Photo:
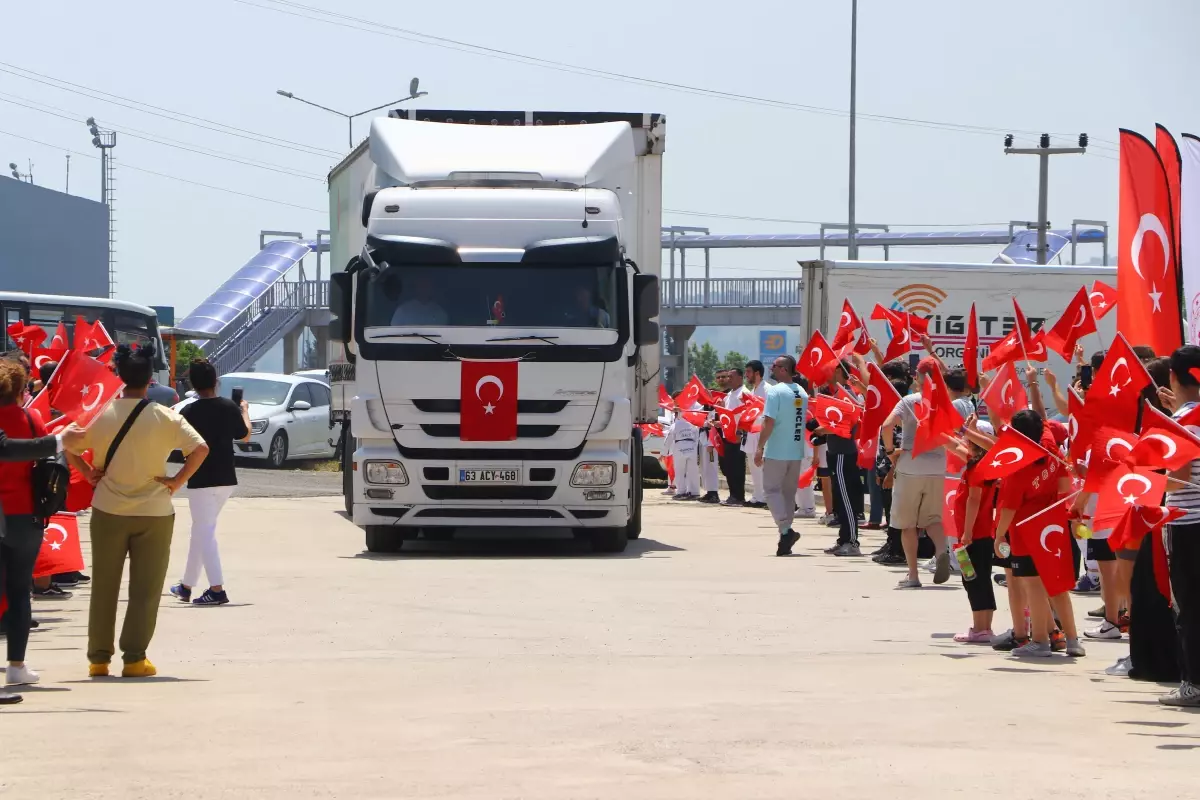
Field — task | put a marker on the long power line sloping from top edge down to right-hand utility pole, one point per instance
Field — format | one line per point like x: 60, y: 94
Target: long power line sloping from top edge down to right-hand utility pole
x: 383, y: 29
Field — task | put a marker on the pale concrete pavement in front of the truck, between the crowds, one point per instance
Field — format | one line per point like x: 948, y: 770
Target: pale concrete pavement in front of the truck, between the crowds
x: 697, y: 665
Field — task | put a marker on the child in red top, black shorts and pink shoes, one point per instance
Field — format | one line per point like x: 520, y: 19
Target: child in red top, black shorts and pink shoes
x: 975, y: 504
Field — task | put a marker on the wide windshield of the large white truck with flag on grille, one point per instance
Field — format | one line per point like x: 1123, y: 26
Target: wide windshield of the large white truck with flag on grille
x: 503, y: 294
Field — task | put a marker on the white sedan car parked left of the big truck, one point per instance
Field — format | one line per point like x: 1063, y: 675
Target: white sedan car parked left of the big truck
x: 289, y: 417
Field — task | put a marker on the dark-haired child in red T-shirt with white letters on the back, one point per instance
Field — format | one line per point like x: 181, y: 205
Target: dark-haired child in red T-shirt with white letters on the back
x: 1024, y: 495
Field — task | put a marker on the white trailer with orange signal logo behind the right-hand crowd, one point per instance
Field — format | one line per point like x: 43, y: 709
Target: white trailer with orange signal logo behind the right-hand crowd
x: 945, y: 292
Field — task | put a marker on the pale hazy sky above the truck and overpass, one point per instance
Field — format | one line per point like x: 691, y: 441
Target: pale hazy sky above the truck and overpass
x: 1018, y: 65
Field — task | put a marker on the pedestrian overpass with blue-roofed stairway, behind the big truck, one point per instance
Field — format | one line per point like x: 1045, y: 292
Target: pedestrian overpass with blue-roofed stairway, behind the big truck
x: 273, y: 298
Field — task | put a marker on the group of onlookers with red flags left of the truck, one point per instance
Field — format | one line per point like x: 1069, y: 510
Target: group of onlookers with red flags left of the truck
x: 122, y: 455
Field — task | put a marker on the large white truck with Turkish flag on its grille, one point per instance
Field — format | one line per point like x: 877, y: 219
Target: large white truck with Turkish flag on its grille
x: 479, y: 250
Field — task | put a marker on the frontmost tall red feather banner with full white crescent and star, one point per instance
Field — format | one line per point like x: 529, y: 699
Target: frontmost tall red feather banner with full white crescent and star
x: 1148, y: 282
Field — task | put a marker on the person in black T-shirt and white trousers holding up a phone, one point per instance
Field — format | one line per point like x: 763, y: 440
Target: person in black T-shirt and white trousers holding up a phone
x: 221, y: 423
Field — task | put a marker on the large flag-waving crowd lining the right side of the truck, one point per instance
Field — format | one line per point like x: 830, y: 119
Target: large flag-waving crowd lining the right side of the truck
x: 940, y: 504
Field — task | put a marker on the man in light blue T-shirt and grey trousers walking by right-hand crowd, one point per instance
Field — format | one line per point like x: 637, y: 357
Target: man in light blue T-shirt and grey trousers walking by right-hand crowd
x: 782, y: 449
